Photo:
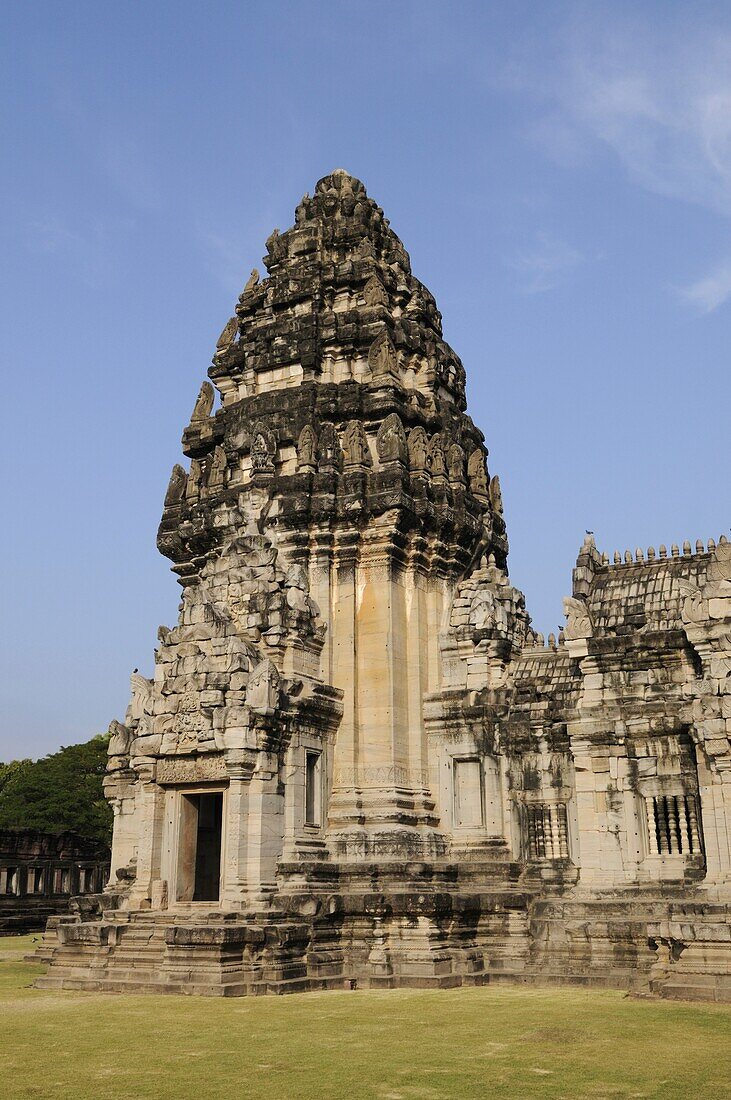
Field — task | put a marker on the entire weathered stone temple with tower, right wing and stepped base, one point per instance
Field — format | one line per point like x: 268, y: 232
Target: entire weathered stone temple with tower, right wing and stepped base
x: 357, y: 763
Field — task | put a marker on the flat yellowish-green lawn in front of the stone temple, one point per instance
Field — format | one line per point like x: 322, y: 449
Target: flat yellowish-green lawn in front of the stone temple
x: 491, y: 1042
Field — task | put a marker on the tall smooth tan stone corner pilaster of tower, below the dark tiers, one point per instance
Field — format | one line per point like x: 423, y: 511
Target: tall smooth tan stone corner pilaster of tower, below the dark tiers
x: 381, y: 805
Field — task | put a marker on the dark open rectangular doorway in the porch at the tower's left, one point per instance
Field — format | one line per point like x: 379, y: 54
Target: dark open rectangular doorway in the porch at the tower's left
x: 200, y: 846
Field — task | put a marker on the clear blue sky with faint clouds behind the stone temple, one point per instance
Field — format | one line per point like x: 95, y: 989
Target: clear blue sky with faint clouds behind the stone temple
x: 561, y: 175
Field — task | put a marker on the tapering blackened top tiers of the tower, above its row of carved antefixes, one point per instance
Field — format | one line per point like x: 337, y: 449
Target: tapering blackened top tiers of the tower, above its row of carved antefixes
x: 340, y: 303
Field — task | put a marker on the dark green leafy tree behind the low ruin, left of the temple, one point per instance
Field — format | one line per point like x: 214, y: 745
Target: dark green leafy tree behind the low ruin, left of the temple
x: 62, y: 791
